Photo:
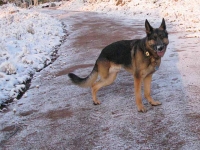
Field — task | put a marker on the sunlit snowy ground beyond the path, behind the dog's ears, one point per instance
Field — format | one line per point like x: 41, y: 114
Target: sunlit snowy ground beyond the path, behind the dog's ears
x: 185, y: 15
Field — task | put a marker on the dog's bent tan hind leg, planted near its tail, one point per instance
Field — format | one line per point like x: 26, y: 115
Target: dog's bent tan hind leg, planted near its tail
x: 103, y: 82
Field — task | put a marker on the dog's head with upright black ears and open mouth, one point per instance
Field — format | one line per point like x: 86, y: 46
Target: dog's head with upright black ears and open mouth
x: 157, y: 39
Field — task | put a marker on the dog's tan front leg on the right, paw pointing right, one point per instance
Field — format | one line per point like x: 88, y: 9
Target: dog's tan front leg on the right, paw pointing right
x: 147, y: 91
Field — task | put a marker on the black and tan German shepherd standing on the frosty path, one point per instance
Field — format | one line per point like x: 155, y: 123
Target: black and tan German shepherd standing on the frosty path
x: 141, y: 57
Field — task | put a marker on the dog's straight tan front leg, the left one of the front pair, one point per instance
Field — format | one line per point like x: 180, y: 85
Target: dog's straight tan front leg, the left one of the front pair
x: 138, y: 97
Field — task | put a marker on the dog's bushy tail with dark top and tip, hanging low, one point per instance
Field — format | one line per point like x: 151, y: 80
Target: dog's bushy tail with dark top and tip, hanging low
x: 85, y: 82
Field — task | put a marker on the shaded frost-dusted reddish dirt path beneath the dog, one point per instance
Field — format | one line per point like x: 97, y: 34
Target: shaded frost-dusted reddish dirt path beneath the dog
x: 59, y: 115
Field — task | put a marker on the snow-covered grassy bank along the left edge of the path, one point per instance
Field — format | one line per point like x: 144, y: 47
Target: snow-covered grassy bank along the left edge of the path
x: 27, y: 42
